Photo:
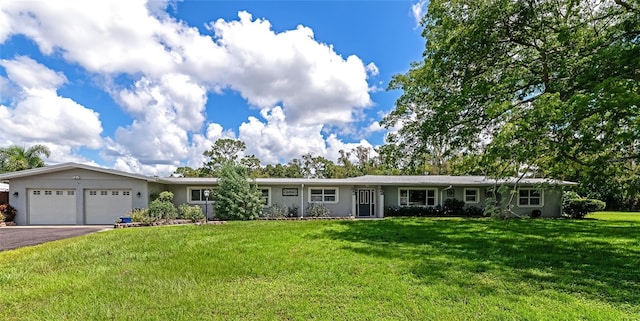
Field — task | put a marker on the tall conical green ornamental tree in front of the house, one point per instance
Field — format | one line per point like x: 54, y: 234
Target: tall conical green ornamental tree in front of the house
x: 236, y: 197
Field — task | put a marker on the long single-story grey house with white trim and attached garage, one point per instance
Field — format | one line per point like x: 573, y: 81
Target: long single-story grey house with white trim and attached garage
x: 79, y: 194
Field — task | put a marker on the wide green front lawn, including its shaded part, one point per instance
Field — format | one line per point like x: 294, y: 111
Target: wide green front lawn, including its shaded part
x: 393, y: 269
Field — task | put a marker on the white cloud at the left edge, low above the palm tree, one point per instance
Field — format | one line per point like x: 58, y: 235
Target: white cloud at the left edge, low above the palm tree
x: 37, y: 114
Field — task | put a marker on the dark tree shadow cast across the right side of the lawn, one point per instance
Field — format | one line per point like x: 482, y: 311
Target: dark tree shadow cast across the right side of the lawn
x: 597, y: 259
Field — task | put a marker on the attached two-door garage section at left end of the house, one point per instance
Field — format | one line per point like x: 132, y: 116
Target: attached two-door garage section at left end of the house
x: 76, y: 194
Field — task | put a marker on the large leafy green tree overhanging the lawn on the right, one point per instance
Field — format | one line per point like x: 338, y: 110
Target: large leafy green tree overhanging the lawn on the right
x: 527, y: 83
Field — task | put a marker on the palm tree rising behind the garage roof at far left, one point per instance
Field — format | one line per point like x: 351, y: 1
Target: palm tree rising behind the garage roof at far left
x: 16, y: 158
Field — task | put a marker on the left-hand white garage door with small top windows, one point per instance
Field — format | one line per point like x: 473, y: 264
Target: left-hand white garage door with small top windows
x: 50, y: 206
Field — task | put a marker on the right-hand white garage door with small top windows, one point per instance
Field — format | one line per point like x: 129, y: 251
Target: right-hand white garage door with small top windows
x: 105, y: 206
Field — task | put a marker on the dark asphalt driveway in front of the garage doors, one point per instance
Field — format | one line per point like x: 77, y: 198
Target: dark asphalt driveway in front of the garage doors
x: 13, y: 237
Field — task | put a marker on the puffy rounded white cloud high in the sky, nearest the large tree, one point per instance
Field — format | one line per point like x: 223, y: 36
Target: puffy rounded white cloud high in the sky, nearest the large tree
x: 293, y: 69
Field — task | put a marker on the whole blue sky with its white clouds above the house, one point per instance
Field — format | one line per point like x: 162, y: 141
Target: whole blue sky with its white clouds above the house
x: 148, y: 86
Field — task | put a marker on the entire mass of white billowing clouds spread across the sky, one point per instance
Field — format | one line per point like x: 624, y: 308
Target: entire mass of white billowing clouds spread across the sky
x: 174, y: 66
